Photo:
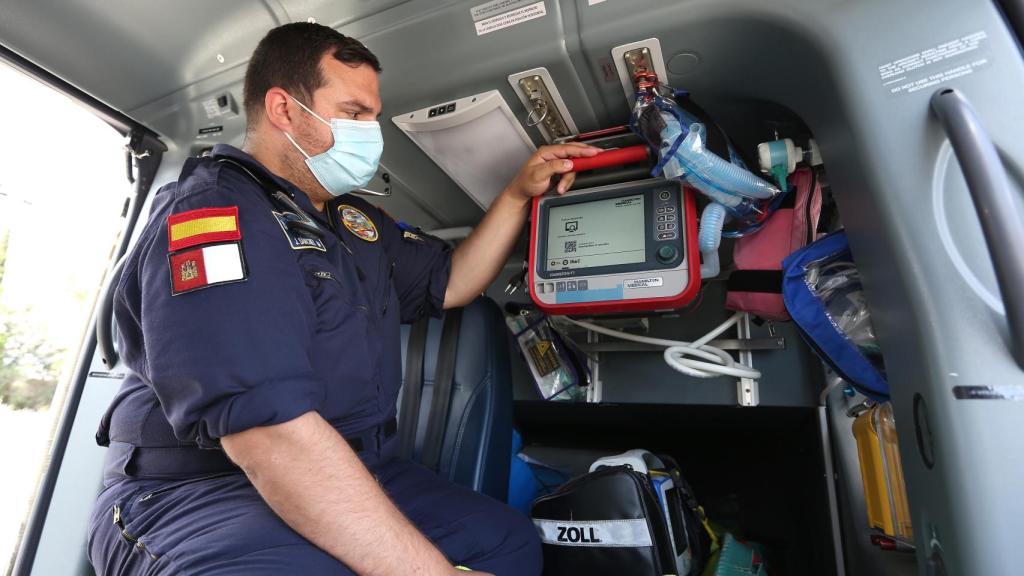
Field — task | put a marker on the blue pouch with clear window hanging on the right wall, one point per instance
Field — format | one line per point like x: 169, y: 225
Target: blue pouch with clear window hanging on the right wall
x: 823, y: 294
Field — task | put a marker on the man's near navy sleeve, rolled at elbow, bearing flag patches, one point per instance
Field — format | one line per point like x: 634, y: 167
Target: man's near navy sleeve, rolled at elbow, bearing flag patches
x: 232, y: 354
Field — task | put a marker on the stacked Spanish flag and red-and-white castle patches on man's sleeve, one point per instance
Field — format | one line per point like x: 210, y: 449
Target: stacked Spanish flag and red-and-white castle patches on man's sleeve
x: 205, y: 250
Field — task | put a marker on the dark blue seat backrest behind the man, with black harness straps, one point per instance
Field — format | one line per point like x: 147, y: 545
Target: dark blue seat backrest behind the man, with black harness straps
x: 477, y: 440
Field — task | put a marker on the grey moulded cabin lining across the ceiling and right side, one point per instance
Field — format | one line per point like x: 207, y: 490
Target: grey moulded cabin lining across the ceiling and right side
x: 883, y: 153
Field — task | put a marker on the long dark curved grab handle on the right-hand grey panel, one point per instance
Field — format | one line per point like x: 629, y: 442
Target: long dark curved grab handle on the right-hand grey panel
x: 999, y: 209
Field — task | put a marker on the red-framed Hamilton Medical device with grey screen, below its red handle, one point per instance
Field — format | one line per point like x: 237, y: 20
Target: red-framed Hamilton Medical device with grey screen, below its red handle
x: 624, y: 248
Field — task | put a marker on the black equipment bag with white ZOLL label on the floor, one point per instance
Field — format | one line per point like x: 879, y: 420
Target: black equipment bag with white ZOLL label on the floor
x: 623, y: 518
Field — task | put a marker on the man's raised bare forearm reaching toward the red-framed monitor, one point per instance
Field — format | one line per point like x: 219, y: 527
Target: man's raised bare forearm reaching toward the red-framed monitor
x: 478, y: 261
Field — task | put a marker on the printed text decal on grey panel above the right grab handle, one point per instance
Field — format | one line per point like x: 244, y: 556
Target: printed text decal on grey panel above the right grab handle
x: 949, y: 61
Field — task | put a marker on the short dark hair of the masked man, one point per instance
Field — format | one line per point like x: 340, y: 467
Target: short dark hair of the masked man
x: 289, y: 58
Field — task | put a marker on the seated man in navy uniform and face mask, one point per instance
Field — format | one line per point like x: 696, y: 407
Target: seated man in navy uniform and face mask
x: 260, y: 313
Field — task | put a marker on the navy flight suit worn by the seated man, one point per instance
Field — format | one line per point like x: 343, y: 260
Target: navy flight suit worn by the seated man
x: 306, y: 323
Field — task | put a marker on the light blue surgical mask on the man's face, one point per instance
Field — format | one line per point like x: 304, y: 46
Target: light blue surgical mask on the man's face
x: 352, y: 161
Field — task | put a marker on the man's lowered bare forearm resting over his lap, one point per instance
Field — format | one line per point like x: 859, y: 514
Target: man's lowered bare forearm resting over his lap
x: 318, y: 485
